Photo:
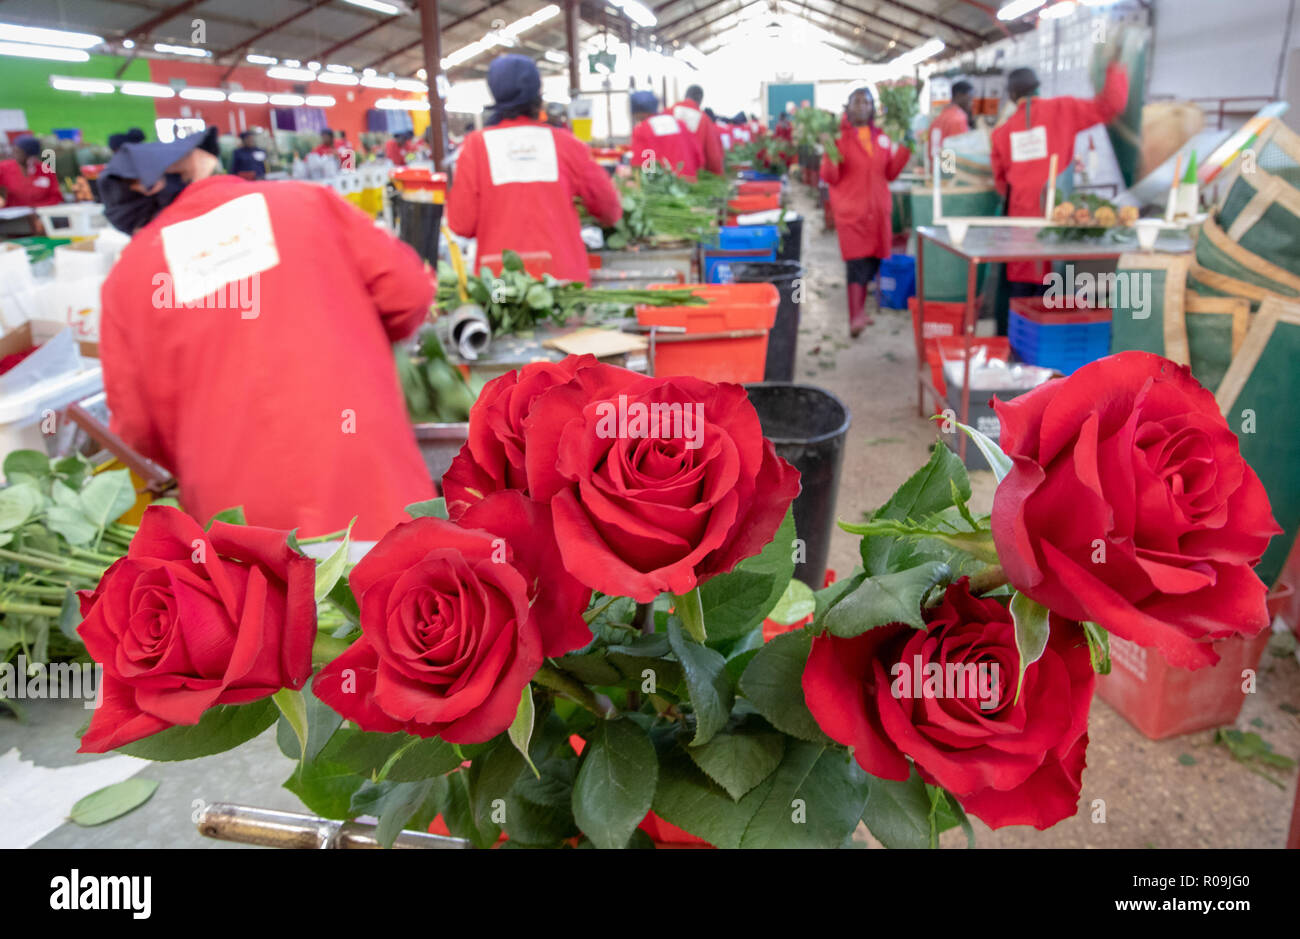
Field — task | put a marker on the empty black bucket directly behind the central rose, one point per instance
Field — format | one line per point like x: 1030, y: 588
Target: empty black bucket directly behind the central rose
x: 808, y: 427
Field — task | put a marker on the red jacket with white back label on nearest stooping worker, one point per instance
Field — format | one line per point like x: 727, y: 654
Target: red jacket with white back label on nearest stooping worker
x: 279, y: 390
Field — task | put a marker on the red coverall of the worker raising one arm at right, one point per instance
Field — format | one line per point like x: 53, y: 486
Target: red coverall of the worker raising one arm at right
x: 1024, y: 170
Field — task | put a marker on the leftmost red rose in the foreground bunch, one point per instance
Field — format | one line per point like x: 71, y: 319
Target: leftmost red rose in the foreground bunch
x: 190, y: 620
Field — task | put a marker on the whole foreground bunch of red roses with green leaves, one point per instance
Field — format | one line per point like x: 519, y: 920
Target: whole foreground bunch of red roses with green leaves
x: 567, y: 650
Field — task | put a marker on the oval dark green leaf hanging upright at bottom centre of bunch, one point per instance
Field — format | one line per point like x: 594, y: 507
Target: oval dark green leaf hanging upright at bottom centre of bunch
x: 616, y: 785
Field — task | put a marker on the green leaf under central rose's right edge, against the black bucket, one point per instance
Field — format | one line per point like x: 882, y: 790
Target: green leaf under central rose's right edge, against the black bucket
x: 736, y: 603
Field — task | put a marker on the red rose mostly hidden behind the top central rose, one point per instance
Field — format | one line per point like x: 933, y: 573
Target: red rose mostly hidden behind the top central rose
x: 493, y: 457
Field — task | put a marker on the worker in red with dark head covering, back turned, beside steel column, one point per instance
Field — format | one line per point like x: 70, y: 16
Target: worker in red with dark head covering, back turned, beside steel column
x: 517, y: 179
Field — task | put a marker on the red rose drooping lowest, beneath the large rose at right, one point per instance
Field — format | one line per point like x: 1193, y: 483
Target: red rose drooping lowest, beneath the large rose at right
x: 1016, y: 763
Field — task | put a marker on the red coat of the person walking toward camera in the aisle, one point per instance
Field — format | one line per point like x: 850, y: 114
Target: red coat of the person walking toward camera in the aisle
x: 860, y: 192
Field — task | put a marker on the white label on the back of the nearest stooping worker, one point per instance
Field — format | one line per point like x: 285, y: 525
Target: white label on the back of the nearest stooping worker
x: 233, y: 243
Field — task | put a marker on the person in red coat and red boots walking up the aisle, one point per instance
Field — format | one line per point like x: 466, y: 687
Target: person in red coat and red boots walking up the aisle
x: 860, y: 198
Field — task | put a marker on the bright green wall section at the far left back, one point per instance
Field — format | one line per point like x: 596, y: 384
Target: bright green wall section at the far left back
x: 25, y: 84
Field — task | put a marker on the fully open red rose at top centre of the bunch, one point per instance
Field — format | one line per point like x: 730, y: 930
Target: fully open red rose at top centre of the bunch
x: 655, y: 484
